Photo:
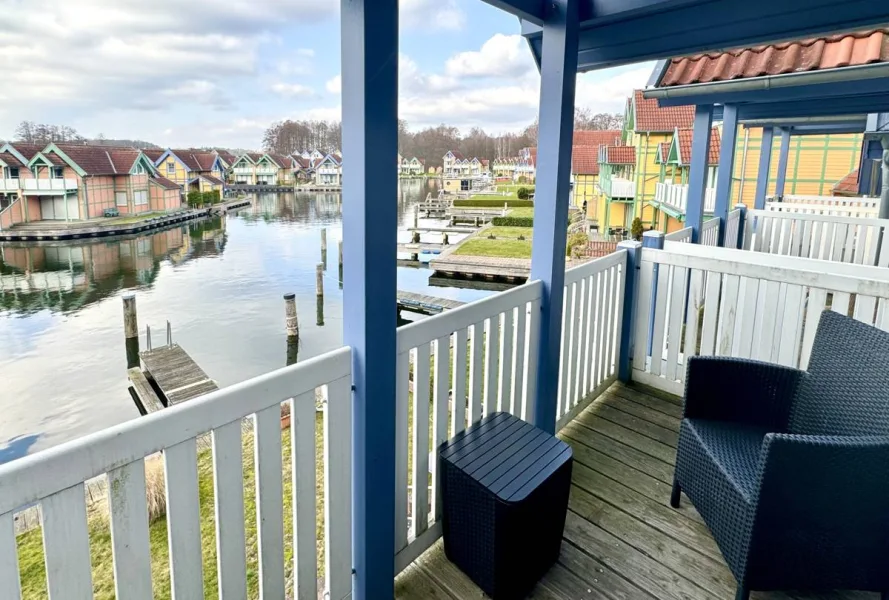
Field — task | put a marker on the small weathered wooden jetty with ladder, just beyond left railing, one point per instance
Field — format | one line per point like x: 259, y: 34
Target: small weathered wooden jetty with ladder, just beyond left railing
x: 176, y: 374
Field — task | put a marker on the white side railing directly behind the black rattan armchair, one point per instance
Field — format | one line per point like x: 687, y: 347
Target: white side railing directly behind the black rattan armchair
x: 723, y: 302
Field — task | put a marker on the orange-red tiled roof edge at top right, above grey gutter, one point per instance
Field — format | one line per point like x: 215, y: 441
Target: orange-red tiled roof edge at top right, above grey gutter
x: 814, y: 54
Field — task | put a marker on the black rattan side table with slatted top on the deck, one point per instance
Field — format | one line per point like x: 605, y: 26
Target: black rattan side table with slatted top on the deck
x: 505, y: 487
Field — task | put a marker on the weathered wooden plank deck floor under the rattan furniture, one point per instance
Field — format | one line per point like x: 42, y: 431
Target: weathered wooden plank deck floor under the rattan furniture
x: 622, y: 540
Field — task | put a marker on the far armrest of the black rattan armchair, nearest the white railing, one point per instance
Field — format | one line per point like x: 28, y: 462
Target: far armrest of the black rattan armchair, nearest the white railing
x: 740, y: 390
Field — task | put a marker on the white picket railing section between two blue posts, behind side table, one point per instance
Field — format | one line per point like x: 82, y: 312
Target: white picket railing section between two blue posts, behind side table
x: 466, y: 363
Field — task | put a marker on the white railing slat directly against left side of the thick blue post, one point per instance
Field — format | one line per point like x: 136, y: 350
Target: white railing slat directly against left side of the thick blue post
x: 338, y: 488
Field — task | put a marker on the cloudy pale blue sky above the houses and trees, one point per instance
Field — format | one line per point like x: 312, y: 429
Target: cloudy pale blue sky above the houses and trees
x: 202, y: 73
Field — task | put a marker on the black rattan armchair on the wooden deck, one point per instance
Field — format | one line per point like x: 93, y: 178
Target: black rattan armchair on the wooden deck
x: 790, y: 469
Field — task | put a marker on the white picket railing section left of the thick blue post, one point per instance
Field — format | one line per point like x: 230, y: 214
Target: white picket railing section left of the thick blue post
x: 54, y: 479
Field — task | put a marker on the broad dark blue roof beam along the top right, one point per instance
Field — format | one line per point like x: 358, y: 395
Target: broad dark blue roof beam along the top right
x: 653, y: 29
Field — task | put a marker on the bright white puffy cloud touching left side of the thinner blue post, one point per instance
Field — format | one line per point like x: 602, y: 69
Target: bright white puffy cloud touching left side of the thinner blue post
x: 501, y: 56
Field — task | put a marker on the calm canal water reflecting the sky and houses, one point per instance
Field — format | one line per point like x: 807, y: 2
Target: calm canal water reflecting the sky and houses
x: 219, y: 282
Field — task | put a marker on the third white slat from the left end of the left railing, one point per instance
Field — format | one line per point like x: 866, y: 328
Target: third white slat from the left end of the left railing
x: 129, y: 531
